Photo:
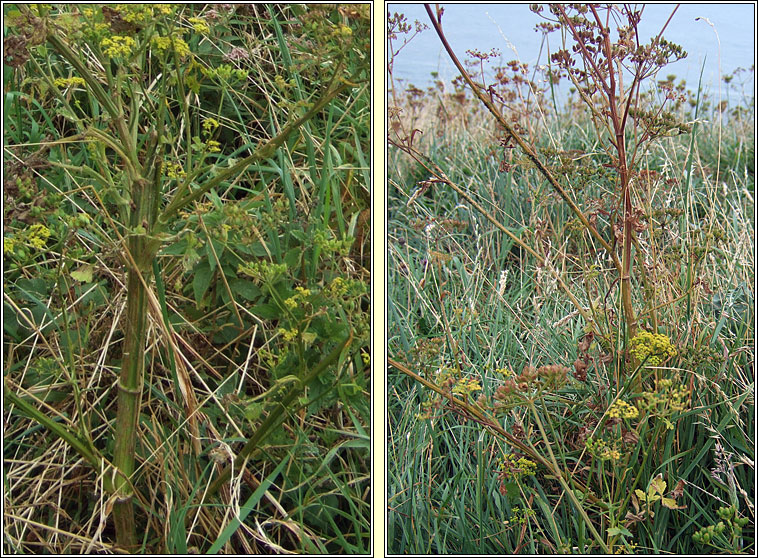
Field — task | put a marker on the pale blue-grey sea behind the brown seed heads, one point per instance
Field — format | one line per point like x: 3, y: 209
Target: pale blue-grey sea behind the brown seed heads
x: 717, y: 37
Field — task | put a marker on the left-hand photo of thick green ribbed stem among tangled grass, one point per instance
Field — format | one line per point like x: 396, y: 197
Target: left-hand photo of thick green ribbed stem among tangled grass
x: 185, y: 254
